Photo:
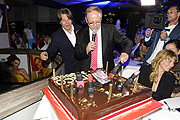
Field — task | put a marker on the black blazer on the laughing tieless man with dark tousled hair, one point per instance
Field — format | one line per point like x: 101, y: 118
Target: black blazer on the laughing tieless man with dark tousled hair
x: 61, y: 43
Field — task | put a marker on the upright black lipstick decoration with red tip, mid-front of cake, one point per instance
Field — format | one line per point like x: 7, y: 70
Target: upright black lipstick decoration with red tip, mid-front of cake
x: 90, y: 87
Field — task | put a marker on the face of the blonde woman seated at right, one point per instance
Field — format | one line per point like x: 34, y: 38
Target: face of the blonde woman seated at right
x: 166, y: 64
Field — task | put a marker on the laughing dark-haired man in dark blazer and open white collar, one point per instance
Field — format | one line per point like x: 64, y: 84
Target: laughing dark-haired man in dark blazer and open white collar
x: 64, y: 40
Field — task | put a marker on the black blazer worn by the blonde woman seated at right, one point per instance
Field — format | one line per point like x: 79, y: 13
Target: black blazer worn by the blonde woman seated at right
x: 166, y: 84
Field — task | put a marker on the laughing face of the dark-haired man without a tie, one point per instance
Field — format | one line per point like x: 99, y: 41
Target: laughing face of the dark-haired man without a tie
x: 66, y: 22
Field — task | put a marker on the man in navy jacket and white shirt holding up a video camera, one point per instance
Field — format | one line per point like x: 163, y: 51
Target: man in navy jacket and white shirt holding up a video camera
x: 156, y: 38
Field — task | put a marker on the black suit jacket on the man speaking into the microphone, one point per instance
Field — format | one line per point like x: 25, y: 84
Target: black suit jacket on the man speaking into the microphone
x: 110, y: 36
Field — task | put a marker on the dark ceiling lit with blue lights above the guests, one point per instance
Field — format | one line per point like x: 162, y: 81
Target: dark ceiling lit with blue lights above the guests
x: 105, y: 5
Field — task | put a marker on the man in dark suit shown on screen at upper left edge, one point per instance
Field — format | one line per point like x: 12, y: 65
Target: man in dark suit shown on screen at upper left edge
x: 3, y: 25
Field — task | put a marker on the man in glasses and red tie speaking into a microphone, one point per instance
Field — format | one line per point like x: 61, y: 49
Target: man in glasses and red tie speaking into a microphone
x: 107, y: 35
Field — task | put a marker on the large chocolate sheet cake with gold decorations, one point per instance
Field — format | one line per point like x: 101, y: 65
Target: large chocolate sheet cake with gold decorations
x: 82, y: 107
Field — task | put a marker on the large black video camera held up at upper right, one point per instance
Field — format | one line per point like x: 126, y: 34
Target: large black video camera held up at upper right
x: 155, y: 21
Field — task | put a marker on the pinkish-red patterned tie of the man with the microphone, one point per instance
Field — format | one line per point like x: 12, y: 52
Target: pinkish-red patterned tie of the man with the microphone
x: 94, y: 55
